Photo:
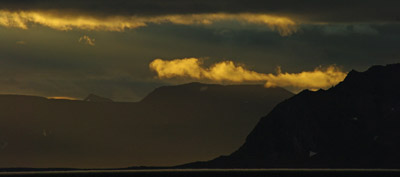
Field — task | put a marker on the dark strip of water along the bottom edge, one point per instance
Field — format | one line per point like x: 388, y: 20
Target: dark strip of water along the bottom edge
x: 212, y: 173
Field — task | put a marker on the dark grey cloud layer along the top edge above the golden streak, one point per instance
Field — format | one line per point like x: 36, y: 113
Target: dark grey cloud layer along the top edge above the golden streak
x: 308, y: 10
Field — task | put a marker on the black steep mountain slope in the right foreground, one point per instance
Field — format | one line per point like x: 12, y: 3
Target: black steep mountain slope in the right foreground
x: 355, y: 124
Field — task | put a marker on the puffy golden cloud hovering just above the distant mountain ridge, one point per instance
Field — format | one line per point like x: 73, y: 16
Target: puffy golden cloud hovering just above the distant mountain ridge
x: 229, y: 71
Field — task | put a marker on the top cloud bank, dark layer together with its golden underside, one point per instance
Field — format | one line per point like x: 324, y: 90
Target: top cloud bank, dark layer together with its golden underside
x: 283, y: 16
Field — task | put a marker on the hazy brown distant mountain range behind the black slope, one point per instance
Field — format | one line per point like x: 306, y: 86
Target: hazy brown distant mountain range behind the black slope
x: 172, y: 125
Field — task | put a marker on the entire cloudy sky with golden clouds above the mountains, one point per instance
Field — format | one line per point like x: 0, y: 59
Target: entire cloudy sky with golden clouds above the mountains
x: 124, y: 49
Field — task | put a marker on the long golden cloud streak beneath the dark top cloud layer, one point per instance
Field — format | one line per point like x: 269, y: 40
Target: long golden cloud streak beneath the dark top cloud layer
x: 23, y: 19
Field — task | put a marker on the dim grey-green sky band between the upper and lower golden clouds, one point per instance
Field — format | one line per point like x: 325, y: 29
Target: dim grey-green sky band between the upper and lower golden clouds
x: 53, y: 63
